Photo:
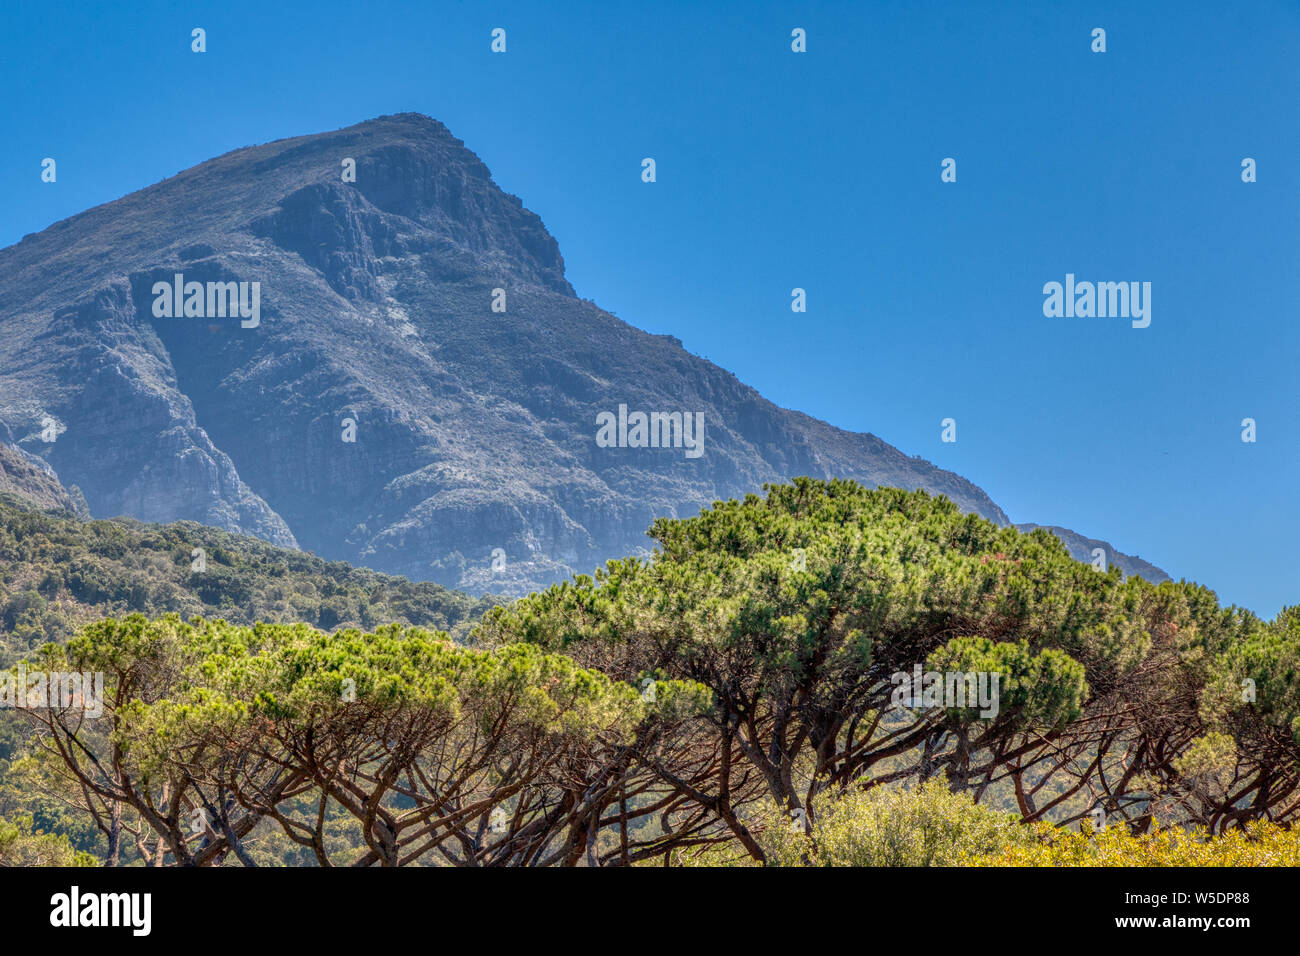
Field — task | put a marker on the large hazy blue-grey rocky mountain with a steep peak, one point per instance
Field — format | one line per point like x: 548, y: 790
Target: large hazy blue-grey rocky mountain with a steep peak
x: 475, y: 430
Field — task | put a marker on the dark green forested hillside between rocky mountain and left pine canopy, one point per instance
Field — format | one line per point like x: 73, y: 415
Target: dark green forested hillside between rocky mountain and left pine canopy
x: 59, y: 573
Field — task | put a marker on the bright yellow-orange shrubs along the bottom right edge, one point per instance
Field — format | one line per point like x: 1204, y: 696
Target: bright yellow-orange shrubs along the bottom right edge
x: 1260, y: 845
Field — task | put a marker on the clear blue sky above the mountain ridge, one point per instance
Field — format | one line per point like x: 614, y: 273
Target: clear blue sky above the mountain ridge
x: 821, y: 171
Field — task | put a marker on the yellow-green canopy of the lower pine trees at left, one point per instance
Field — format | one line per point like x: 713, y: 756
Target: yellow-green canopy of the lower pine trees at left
x: 224, y: 678
